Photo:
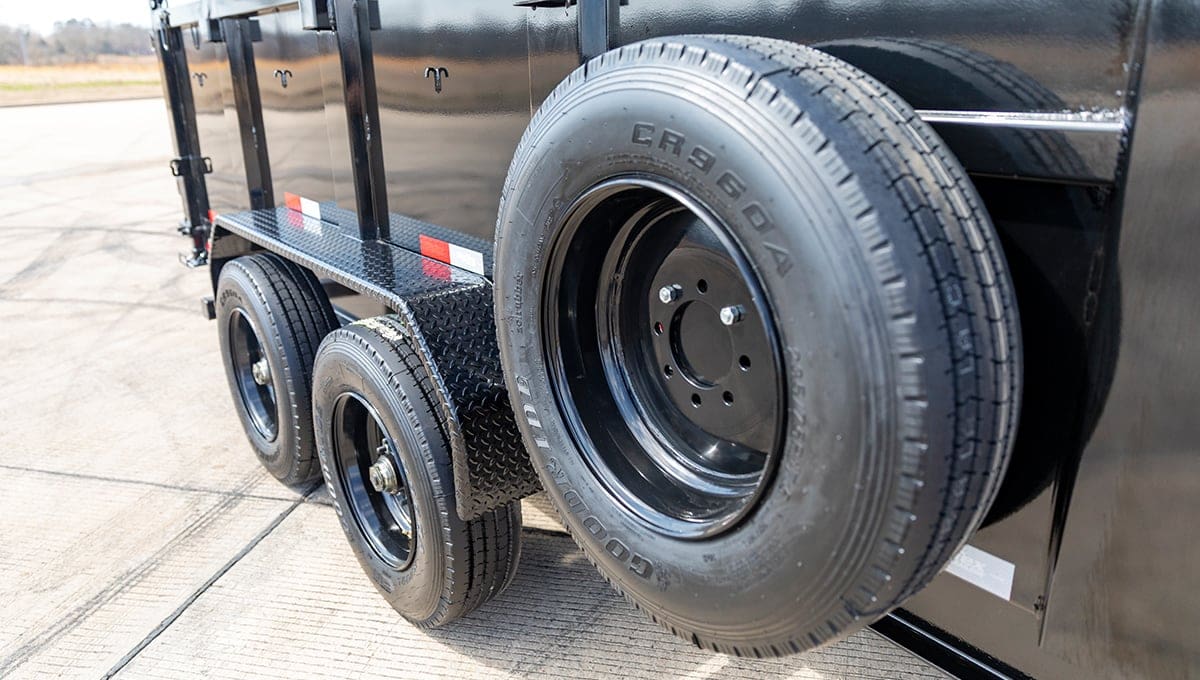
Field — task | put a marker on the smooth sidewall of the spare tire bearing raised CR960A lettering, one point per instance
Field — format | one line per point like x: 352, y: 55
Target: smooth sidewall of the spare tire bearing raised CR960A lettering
x: 781, y: 552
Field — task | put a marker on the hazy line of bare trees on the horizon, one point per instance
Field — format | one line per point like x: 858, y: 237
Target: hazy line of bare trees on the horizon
x: 73, y: 43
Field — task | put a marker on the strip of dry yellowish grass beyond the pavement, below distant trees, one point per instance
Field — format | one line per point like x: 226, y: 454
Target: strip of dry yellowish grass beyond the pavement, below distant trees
x: 124, y: 80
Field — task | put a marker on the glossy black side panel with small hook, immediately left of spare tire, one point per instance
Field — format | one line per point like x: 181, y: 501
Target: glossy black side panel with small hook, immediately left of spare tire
x: 447, y: 153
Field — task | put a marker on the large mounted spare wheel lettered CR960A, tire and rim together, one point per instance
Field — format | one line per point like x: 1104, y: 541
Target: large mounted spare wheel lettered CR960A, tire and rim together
x: 759, y: 334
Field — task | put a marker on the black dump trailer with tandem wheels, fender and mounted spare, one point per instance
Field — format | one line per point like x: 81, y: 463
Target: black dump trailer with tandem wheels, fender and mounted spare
x: 807, y: 315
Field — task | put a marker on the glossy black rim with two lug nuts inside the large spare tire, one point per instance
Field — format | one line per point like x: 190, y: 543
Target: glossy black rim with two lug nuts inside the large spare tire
x: 664, y: 357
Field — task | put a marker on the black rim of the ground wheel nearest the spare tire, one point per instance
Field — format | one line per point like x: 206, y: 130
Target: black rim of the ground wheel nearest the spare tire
x: 385, y: 519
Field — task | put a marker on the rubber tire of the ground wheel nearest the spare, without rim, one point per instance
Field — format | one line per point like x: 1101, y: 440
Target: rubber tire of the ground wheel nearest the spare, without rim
x: 458, y: 565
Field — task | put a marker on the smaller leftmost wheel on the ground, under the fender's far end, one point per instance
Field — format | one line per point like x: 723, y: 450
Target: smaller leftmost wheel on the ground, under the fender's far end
x: 272, y: 317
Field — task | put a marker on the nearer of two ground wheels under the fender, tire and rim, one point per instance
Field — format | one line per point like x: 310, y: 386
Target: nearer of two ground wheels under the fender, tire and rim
x: 386, y: 458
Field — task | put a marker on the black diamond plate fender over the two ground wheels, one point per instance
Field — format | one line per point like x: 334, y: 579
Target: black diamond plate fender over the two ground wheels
x: 449, y: 317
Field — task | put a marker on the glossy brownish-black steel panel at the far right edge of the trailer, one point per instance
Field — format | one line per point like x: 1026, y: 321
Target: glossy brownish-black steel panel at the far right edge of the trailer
x: 1125, y: 601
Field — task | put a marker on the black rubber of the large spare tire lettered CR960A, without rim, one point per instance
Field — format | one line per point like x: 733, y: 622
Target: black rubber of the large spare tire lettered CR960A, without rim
x: 890, y: 292
